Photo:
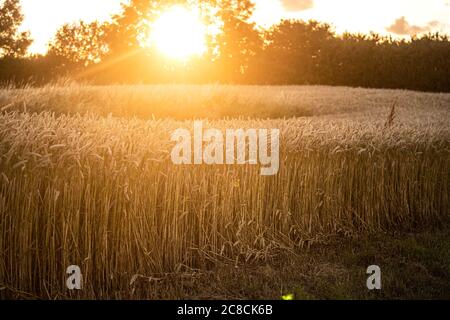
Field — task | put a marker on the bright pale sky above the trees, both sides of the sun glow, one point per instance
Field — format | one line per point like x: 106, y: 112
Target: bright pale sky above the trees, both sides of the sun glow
x: 400, y: 17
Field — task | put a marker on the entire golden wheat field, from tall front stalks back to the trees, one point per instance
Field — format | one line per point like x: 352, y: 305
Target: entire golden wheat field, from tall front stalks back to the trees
x: 86, y: 179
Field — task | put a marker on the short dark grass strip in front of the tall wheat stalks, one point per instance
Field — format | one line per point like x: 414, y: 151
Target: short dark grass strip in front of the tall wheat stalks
x: 413, y: 266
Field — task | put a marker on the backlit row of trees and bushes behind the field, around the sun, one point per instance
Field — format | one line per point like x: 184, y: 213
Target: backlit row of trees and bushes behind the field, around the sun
x: 292, y: 52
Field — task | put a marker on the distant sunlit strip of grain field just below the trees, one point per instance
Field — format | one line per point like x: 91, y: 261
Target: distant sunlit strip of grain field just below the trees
x: 217, y: 101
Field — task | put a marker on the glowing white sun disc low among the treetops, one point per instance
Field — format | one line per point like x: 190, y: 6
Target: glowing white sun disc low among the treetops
x: 179, y: 33
